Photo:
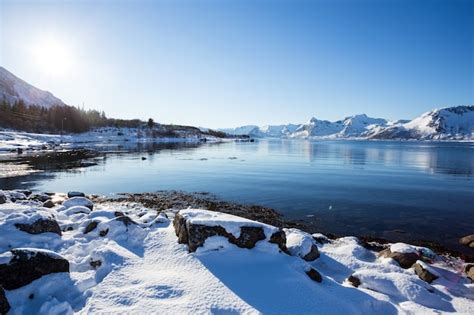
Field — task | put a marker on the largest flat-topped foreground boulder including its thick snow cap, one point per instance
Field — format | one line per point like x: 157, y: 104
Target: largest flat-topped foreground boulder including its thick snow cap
x: 194, y: 226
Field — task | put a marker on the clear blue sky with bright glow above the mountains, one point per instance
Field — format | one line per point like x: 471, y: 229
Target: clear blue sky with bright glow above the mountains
x: 230, y: 63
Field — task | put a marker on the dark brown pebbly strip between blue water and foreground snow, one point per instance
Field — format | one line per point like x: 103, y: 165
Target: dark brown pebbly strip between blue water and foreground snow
x: 172, y: 199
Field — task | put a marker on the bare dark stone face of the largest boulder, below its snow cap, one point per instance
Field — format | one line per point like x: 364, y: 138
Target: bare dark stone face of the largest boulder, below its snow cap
x: 194, y: 235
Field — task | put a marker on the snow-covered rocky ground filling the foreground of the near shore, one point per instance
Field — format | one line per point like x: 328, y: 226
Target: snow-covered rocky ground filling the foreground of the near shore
x: 125, y: 258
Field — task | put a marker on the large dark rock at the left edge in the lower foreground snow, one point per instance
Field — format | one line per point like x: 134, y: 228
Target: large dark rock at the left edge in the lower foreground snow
x: 29, y: 264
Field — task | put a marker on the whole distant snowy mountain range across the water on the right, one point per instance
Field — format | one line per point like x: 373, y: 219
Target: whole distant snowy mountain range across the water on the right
x: 451, y: 123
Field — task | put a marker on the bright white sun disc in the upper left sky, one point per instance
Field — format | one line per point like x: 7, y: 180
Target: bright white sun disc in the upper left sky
x: 53, y: 57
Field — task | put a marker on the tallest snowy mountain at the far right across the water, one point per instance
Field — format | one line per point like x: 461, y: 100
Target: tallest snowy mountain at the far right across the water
x: 452, y: 123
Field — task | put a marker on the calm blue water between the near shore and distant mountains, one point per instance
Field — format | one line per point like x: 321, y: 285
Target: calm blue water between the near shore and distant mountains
x: 395, y: 190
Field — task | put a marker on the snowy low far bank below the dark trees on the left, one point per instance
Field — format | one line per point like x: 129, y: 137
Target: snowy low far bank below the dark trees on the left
x: 12, y: 140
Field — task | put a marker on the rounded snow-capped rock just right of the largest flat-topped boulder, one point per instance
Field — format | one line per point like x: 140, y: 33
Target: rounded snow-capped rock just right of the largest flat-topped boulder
x: 301, y: 244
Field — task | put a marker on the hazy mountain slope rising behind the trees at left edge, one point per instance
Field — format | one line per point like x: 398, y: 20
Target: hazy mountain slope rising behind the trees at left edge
x: 13, y: 89
